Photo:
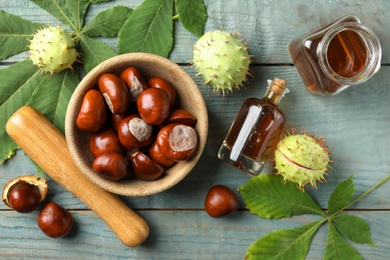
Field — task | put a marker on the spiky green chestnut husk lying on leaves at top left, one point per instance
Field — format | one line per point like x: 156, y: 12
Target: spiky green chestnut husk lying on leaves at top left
x: 52, y: 49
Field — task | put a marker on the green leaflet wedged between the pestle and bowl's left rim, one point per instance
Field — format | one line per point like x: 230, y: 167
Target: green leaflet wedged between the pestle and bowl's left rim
x: 51, y: 98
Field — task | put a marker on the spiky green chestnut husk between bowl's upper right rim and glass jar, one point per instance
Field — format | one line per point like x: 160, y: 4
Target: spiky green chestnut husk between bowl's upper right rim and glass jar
x: 222, y: 60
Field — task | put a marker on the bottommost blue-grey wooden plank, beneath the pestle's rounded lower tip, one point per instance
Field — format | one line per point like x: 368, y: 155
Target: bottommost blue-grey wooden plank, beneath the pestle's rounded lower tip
x: 174, y: 235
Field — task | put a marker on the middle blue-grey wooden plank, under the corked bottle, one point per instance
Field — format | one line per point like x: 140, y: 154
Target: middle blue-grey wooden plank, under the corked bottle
x: 355, y: 124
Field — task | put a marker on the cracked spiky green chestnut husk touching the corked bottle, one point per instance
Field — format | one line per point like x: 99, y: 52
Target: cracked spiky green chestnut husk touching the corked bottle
x: 302, y: 159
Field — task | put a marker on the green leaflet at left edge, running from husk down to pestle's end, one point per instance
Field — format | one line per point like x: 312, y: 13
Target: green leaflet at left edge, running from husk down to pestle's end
x: 17, y: 84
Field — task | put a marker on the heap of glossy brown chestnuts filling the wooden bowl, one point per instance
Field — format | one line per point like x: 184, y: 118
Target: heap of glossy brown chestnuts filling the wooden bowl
x: 136, y: 129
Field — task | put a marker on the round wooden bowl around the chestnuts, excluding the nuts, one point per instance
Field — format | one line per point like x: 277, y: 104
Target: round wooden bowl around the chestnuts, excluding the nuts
x: 188, y: 97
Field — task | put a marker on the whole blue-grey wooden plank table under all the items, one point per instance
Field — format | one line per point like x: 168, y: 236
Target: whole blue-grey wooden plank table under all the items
x: 356, y: 124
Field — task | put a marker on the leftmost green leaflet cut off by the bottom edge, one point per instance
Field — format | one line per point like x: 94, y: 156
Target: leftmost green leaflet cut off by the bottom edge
x: 284, y: 244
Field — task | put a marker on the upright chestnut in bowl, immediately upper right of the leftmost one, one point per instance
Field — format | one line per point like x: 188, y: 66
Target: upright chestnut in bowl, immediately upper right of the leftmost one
x: 115, y: 92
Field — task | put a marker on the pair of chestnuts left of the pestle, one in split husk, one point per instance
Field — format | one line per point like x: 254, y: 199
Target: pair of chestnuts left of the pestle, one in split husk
x: 25, y: 193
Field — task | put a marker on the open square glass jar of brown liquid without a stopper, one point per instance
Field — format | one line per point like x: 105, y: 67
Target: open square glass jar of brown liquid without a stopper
x: 338, y: 55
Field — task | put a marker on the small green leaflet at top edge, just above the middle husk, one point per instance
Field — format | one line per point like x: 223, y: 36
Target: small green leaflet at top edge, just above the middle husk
x: 193, y: 15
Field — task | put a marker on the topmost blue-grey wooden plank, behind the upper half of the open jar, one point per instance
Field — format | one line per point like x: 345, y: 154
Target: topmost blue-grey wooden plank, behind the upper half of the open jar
x: 267, y: 26
